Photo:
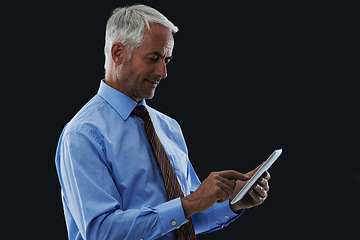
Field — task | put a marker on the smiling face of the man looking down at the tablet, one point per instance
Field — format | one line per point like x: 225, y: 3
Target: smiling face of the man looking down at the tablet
x: 141, y: 75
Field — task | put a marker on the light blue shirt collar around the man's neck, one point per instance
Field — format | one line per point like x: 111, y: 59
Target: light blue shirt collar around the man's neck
x: 123, y: 104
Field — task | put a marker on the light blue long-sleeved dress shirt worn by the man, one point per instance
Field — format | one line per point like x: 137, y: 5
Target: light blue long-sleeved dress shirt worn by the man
x: 110, y: 182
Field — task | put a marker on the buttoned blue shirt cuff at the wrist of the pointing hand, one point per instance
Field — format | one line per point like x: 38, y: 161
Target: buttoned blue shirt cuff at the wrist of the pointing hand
x: 171, y: 215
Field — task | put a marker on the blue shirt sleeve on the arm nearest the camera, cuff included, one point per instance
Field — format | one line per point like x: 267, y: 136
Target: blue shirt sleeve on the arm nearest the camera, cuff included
x: 94, y: 202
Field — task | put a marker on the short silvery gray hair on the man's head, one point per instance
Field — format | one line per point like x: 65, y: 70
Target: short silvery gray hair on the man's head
x: 127, y: 26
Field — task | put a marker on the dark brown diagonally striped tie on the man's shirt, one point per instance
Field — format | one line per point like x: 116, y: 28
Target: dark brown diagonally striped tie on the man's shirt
x: 172, y: 186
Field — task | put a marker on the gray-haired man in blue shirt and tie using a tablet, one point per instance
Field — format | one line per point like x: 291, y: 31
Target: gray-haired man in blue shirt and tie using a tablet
x: 118, y: 180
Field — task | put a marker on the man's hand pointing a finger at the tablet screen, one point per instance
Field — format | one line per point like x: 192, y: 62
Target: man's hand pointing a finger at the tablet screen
x: 217, y: 187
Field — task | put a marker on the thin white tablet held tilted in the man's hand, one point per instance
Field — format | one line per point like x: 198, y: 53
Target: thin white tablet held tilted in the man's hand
x: 256, y: 176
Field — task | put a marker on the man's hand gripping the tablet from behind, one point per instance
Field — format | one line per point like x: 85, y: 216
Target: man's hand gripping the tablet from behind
x: 257, y: 193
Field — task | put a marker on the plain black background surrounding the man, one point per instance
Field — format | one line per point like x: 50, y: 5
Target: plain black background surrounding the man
x: 261, y: 77
